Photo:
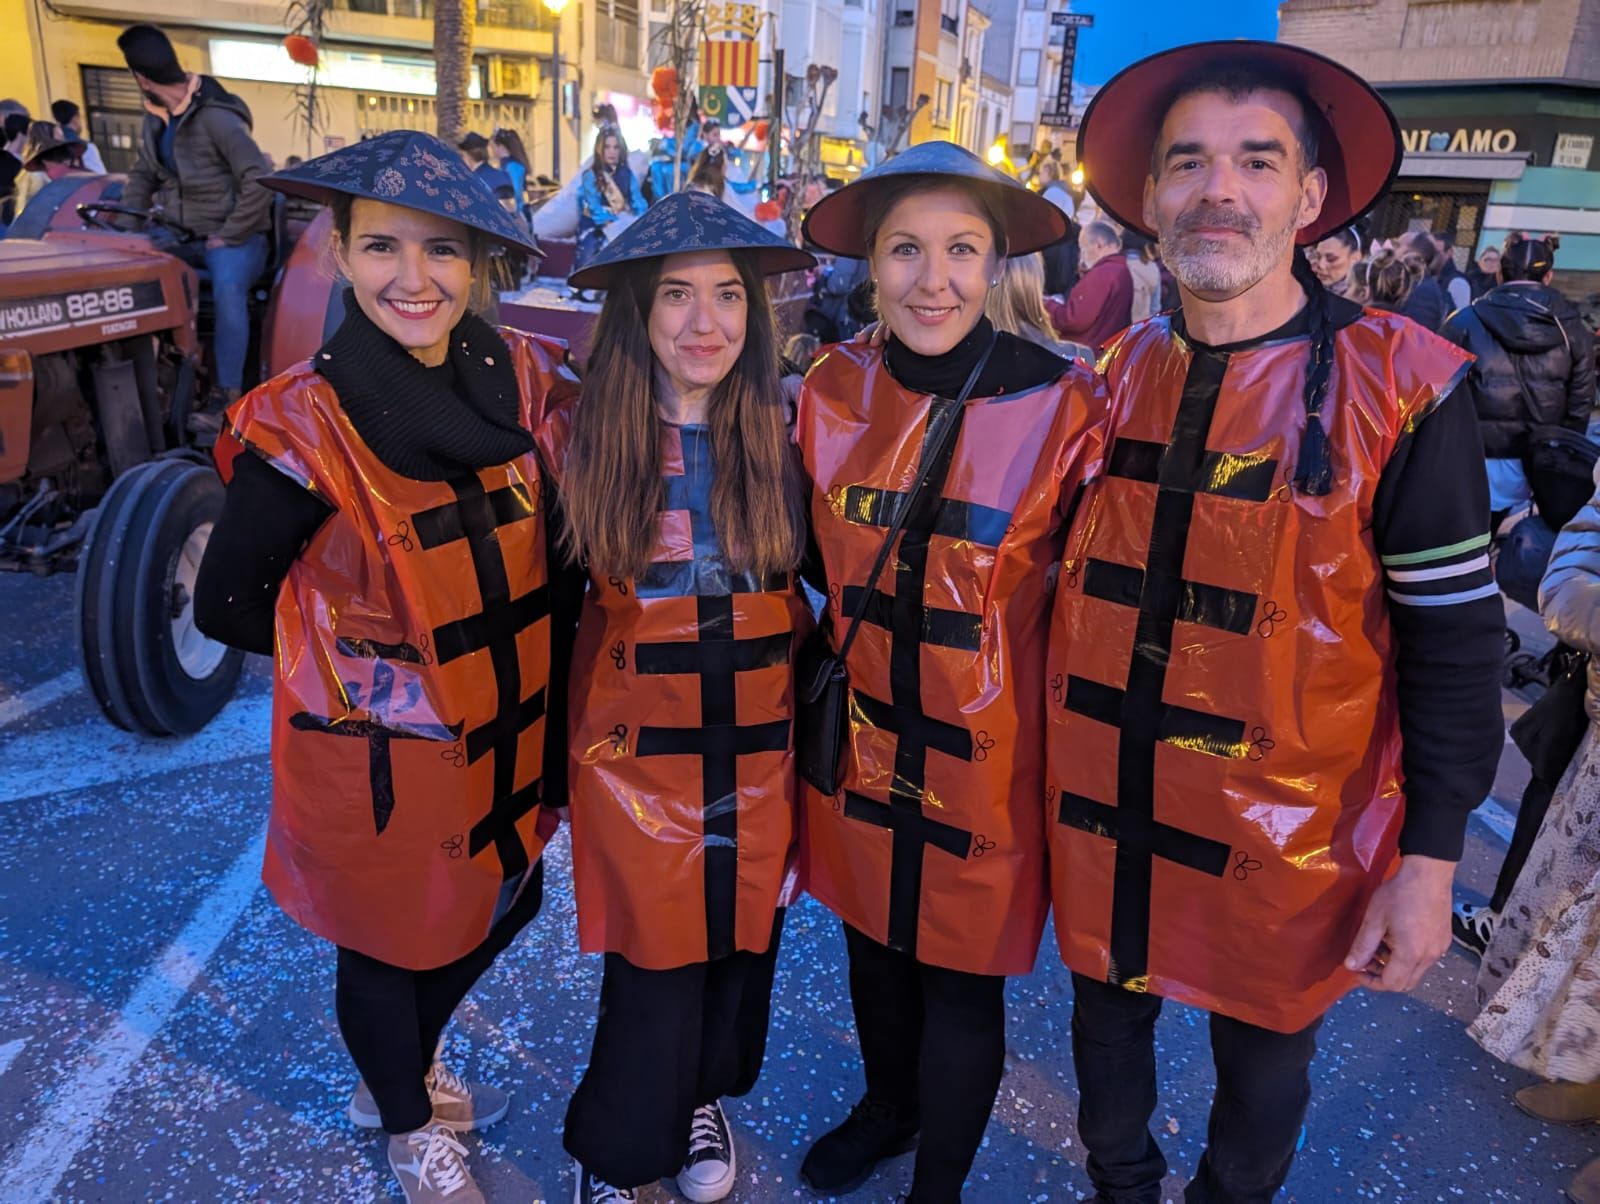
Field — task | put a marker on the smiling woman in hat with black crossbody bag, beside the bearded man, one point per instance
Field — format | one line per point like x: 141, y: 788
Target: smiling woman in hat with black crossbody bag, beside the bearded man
x: 966, y: 449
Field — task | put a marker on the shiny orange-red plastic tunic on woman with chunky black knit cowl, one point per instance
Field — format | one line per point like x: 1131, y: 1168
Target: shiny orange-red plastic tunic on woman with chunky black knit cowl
x: 410, y: 680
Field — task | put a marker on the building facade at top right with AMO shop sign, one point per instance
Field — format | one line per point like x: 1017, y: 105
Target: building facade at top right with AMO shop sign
x: 1498, y: 106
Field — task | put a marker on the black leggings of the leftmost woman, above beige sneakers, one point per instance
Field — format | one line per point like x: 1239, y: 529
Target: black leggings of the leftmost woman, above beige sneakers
x: 393, y: 1017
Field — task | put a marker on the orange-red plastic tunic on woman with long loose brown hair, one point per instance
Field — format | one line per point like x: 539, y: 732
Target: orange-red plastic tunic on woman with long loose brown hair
x: 682, y: 763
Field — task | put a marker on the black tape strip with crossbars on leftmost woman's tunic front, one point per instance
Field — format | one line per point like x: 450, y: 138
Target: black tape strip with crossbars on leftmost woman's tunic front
x: 478, y: 518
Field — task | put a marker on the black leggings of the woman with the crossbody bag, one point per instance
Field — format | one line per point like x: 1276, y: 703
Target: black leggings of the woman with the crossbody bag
x: 934, y: 1045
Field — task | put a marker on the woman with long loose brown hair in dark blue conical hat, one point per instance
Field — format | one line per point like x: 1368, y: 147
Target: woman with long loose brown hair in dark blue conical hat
x: 684, y: 500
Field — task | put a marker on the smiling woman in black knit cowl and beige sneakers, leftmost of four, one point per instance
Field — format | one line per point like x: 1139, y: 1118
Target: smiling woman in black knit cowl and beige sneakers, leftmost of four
x: 385, y: 539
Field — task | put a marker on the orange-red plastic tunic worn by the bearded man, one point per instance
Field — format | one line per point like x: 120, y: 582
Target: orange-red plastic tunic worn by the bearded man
x: 1225, y: 748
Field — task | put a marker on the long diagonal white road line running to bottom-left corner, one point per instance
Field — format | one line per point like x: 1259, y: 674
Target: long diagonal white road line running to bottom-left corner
x: 79, y: 1104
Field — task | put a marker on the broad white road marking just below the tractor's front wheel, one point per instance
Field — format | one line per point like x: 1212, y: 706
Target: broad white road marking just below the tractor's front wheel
x: 54, y: 763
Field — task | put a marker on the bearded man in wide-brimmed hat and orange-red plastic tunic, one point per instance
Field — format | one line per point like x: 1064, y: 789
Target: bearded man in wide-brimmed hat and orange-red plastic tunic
x: 1274, y: 660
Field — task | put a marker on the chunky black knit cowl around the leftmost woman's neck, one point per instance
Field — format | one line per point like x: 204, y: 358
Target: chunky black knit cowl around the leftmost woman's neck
x: 426, y: 423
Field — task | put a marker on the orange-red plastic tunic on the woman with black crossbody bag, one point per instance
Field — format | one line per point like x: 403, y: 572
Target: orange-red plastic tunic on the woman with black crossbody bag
x: 935, y: 845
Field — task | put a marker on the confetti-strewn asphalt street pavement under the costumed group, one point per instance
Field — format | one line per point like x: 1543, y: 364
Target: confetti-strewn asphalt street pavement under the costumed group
x: 166, y: 1033
